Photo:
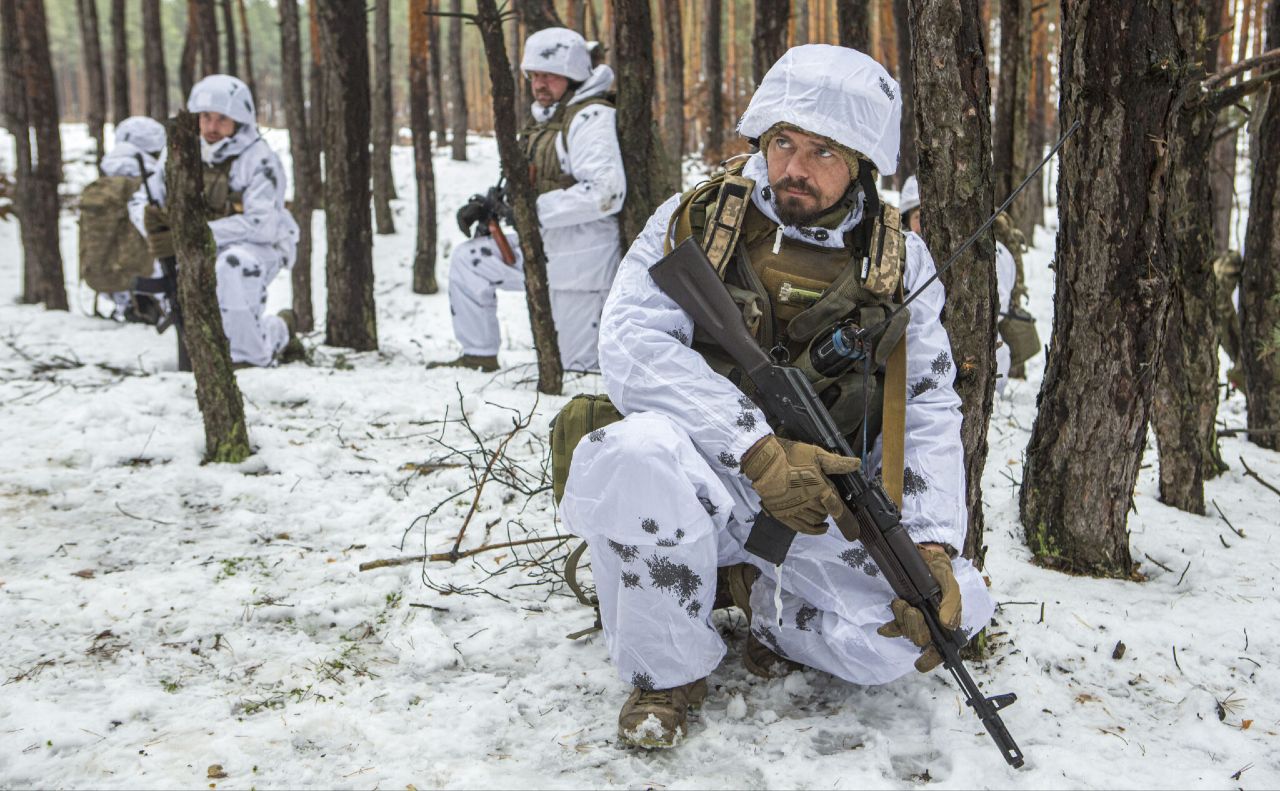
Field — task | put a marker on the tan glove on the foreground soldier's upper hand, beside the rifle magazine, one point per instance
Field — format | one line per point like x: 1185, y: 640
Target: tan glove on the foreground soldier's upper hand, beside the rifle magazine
x: 790, y: 478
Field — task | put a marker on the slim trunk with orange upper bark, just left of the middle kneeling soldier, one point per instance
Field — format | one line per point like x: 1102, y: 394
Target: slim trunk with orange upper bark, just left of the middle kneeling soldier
x: 420, y: 121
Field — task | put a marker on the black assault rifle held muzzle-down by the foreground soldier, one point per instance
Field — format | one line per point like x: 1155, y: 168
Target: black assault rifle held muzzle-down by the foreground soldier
x: 794, y: 408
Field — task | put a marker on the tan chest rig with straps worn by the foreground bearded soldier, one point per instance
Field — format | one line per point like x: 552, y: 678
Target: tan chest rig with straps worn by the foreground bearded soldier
x: 798, y: 295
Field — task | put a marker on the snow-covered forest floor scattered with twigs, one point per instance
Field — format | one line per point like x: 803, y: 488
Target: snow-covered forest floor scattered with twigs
x: 163, y: 616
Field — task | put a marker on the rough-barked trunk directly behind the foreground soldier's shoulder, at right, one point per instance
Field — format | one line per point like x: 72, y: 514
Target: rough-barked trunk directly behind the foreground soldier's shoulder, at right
x: 953, y: 113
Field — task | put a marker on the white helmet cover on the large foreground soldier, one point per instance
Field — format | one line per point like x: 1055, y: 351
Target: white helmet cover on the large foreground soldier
x: 833, y: 92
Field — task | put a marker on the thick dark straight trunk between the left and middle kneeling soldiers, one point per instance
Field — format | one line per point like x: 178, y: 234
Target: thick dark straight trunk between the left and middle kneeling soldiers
x: 351, y: 321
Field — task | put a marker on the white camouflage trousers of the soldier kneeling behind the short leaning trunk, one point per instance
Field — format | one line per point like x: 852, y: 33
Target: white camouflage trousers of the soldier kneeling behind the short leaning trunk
x: 244, y: 273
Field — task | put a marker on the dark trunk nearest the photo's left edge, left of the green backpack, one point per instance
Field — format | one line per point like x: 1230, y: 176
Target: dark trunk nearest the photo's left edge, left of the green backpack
x: 40, y: 204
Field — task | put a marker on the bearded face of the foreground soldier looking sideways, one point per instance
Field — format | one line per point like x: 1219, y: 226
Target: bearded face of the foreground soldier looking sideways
x: 807, y: 177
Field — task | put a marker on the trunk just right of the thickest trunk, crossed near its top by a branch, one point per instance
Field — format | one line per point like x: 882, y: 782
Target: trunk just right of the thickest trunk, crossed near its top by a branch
x: 1187, y: 387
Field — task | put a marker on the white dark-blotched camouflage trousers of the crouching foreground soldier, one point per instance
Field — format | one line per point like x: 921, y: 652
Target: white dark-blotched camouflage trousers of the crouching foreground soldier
x: 660, y: 520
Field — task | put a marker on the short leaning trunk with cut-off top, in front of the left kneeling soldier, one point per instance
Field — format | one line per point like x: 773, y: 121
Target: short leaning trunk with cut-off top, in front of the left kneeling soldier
x: 217, y: 391
